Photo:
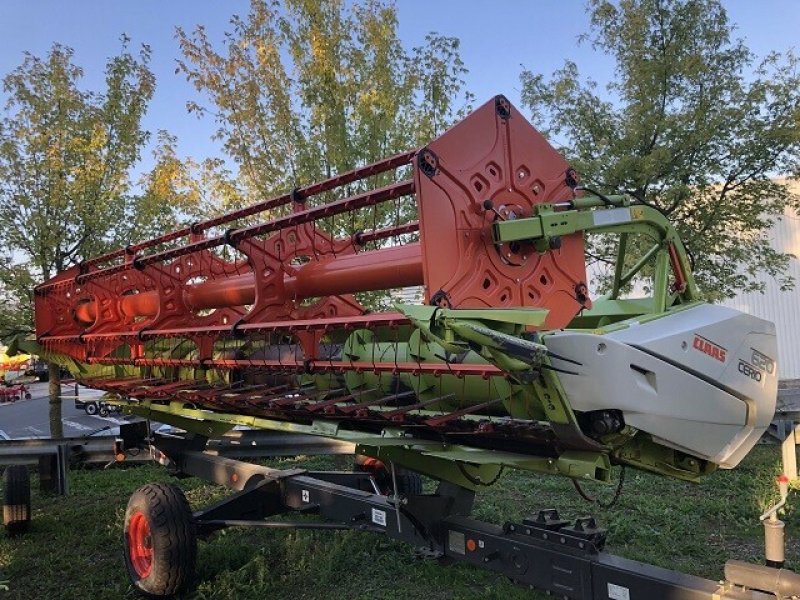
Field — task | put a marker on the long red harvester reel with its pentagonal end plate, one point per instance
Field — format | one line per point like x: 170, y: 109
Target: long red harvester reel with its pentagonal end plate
x: 187, y: 290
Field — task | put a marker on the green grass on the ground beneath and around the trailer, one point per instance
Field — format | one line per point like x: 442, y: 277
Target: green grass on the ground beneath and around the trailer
x: 73, y: 550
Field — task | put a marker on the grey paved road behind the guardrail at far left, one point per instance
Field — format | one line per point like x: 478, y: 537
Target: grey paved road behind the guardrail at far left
x: 30, y: 418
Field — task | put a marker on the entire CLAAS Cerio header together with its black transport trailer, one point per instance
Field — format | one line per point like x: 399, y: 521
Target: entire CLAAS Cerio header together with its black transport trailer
x: 269, y: 317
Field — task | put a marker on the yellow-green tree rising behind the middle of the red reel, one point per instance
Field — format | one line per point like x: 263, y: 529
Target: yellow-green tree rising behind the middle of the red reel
x: 303, y: 89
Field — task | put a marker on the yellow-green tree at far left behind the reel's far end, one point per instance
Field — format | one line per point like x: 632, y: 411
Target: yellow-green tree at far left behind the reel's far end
x: 65, y: 161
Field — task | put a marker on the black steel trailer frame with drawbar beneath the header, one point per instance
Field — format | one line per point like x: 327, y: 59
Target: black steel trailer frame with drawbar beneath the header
x: 565, y: 558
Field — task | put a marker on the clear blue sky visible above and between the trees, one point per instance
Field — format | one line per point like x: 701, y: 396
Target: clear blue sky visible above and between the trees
x: 497, y: 39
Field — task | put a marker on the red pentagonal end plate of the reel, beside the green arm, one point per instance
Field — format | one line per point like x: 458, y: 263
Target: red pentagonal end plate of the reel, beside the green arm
x: 496, y: 155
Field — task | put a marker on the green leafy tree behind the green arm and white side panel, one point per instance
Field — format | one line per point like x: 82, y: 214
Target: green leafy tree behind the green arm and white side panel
x: 691, y: 124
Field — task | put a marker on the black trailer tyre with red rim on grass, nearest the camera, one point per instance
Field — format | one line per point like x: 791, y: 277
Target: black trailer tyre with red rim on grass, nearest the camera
x: 160, y: 540
